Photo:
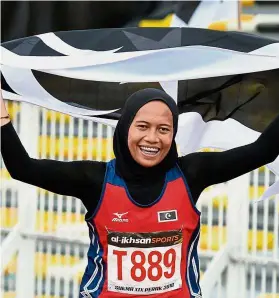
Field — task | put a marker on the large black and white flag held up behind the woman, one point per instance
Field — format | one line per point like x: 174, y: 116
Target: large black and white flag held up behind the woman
x: 226, y: 81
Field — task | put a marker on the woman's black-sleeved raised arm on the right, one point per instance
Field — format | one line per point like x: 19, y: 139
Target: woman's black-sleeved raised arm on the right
x: 203, y: 169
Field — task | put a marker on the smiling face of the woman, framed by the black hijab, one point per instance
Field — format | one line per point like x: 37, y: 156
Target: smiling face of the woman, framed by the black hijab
x: 151, y: 133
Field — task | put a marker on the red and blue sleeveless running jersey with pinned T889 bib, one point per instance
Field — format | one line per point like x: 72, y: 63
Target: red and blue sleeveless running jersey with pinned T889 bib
x: 143, y: 251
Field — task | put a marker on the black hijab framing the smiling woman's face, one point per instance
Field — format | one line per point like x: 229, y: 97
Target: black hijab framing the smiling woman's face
x: 126, y: 167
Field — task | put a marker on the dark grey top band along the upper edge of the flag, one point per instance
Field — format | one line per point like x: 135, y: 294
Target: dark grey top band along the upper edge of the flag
x: 110, y: 39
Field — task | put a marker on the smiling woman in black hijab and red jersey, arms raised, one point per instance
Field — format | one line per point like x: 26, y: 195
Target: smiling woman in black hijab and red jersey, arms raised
x: 143, y: 223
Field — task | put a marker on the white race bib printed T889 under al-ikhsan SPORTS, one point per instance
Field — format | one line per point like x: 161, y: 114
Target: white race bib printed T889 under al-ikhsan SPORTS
x: 144, y: 263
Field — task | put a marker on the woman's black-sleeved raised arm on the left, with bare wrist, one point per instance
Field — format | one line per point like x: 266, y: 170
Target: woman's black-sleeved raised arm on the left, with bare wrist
x: 77, y: 178
